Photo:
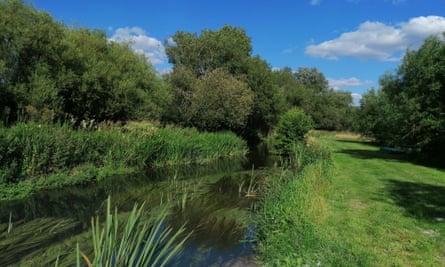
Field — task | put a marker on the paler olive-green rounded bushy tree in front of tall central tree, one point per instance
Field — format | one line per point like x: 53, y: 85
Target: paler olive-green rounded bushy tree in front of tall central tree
x: 220, y: 101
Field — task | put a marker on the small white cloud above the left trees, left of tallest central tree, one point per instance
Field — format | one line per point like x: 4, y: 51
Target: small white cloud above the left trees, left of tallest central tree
x: 152, y: 48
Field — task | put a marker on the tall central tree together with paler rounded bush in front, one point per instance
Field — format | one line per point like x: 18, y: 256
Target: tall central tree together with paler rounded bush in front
x: 196, y: 61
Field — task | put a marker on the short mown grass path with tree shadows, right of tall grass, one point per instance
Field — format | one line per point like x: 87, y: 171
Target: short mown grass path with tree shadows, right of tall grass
x: 385, y: 207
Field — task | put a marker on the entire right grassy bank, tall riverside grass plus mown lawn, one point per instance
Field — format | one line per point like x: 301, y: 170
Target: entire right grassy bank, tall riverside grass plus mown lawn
x: 372, y: 209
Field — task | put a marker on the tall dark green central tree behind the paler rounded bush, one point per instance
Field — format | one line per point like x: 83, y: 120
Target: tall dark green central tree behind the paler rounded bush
x: 195, y: 56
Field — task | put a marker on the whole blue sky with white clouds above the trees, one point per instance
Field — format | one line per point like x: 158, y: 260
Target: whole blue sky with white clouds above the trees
x: 353, y: 42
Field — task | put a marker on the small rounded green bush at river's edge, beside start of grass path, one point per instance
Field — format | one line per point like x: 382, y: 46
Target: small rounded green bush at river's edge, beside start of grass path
x: 291, y: 130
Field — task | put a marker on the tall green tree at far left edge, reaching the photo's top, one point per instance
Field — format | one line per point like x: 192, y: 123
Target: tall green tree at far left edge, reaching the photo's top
x: 30, y: 49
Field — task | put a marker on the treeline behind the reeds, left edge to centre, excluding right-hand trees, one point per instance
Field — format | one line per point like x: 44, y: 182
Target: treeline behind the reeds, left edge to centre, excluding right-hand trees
x: 51, y: 72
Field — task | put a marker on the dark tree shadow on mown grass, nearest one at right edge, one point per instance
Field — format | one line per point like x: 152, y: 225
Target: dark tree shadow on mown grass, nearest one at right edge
x: 420, y: 200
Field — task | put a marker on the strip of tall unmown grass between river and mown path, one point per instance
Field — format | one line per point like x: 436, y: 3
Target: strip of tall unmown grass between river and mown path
x: 290, y: 206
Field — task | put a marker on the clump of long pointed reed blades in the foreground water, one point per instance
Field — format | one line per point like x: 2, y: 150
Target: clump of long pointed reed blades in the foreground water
x: 136, y: 243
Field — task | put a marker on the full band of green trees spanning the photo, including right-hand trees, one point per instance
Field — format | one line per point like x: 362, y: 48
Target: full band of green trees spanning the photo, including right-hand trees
x: 50, y: 72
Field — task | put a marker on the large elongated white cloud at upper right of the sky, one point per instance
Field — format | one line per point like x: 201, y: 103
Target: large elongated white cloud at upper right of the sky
x: 379, y: 41
